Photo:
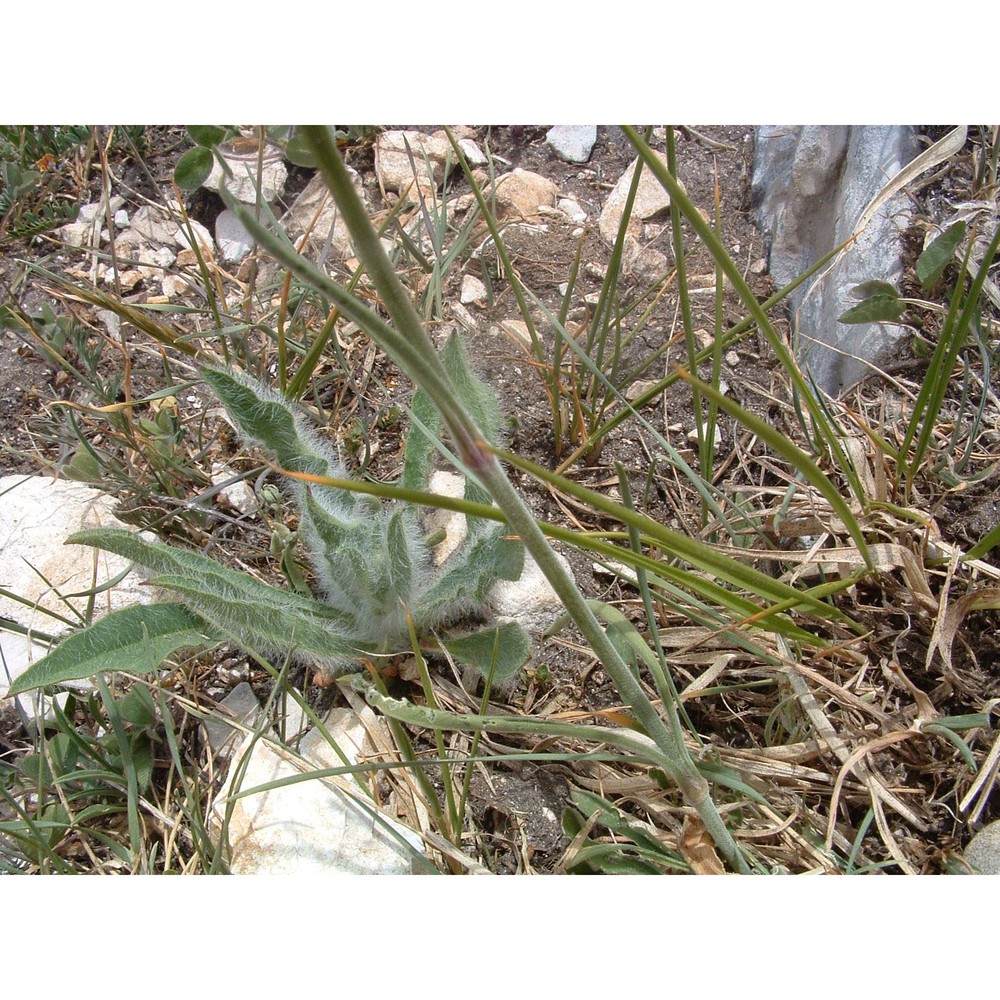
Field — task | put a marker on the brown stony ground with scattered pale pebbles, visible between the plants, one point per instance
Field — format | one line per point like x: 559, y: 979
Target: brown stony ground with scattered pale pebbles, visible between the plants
x: 556, y: 227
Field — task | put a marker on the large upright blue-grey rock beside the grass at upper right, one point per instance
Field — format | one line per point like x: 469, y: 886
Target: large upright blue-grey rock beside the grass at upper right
x: 810, y: 186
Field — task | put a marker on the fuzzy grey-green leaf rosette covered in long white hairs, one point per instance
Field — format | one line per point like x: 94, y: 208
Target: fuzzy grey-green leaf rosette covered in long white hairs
x: 374, y: 563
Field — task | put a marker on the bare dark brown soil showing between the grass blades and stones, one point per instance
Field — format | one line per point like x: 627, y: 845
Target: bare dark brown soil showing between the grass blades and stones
x: 517, y: 810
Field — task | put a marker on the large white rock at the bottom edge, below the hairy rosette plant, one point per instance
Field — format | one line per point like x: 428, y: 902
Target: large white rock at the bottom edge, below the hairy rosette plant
x: 310, y: 827
